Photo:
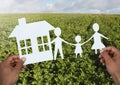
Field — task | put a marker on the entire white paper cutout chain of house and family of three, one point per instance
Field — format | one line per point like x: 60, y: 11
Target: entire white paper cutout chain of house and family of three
x: 34, y: 43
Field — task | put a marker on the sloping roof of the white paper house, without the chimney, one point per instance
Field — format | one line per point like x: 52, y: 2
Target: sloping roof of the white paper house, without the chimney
x: 29, y: 30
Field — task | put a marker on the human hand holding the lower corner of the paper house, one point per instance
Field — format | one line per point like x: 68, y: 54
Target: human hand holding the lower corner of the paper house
x: 10, y: 68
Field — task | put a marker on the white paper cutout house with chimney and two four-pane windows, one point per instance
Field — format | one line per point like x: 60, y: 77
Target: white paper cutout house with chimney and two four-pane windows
x: 33, y: 40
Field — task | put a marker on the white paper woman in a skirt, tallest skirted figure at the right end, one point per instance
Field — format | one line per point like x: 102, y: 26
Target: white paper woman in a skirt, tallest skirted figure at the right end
x: 97, y: 39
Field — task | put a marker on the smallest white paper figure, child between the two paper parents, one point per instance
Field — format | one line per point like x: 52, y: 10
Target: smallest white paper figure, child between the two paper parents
x: 78, y: 49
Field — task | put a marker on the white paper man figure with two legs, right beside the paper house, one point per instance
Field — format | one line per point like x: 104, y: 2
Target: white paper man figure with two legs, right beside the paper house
x: 58, y: 43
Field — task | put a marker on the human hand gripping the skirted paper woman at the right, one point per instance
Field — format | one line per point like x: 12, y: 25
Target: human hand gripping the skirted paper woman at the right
x: 110, y: 57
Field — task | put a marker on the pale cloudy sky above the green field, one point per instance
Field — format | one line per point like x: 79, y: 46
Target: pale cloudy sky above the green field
x: 60, y: 6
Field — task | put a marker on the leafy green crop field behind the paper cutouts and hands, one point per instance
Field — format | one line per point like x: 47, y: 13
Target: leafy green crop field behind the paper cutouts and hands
x: 86, y: 70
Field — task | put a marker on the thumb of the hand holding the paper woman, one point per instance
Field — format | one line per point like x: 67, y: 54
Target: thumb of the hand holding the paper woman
x: 107, y: 58
